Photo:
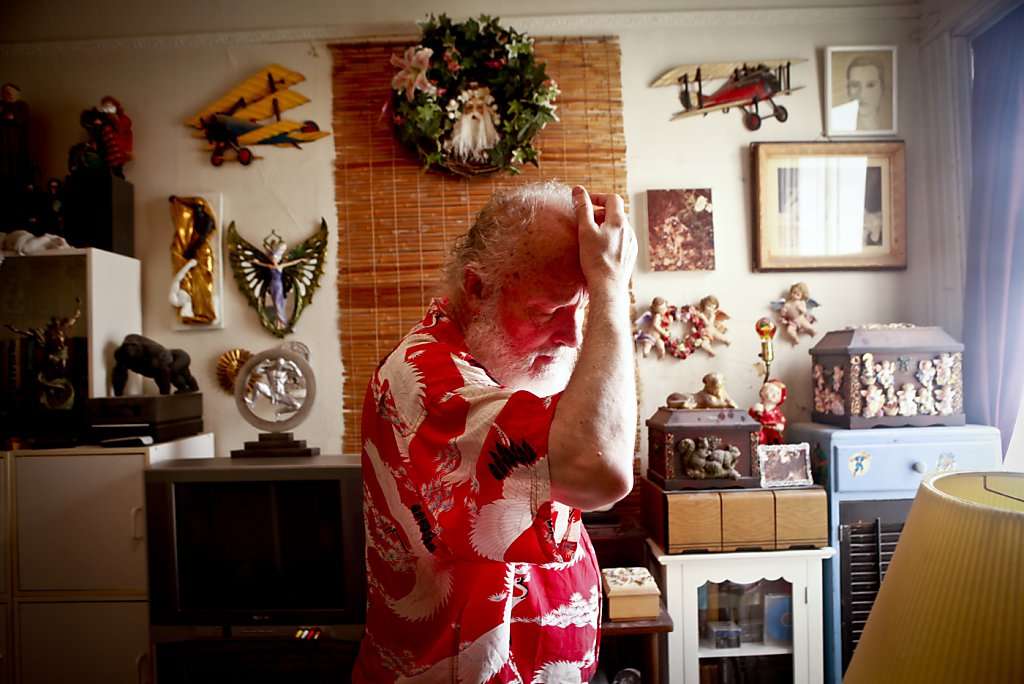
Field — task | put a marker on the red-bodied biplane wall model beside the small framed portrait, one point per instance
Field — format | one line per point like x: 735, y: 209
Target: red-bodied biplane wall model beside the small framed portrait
x: 746, y: 88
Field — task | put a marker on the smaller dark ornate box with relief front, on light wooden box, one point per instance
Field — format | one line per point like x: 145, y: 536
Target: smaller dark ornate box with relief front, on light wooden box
x: 701, y: 449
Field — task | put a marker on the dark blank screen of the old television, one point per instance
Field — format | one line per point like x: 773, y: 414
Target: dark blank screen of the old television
x: 266, y: 545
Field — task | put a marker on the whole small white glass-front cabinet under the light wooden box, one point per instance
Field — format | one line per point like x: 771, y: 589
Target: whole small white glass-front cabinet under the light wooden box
x: 745, y: 618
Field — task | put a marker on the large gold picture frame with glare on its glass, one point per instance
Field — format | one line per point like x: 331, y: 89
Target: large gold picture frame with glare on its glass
x: 821, y: 206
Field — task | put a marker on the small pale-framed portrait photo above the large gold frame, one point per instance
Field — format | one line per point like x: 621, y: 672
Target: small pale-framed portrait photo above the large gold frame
x: 861, y: 91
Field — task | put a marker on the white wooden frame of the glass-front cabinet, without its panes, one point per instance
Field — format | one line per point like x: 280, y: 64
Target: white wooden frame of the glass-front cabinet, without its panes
x: 684, y: 575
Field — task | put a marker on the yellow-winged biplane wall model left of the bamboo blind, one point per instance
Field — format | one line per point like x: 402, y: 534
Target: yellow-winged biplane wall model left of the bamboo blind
x: 232, y: 122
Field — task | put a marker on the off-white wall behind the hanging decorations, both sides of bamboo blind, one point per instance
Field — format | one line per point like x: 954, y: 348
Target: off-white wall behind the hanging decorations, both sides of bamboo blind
x: 161, y: 82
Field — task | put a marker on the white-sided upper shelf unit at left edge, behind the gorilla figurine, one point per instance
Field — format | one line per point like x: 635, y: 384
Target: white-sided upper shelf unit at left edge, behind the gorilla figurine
x: 36, y: 287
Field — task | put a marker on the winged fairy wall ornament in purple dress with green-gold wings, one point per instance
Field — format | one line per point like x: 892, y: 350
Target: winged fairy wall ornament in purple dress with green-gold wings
x: 279, y: 283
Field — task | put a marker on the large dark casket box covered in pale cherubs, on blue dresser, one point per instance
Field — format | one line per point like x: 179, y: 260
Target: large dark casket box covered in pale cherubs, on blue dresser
x: 888, y: 375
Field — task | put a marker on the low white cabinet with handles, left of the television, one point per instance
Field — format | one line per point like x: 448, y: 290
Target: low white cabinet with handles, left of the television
x: 78, y: 587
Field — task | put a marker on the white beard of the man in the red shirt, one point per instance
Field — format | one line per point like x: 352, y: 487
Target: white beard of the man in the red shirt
x: 489, y: 344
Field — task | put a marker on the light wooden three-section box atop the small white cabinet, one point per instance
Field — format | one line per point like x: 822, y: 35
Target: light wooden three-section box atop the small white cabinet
x: 711, y: 522
